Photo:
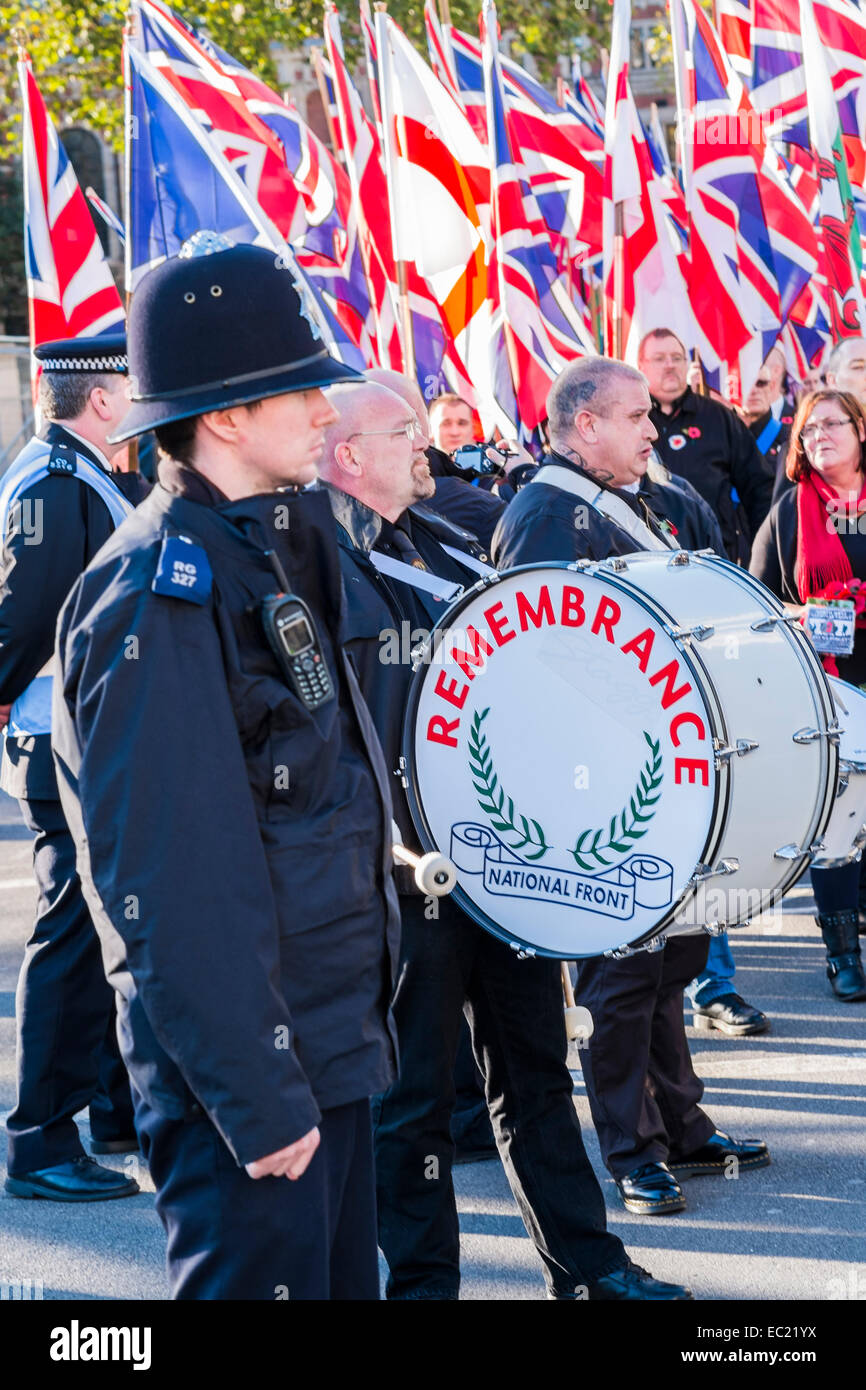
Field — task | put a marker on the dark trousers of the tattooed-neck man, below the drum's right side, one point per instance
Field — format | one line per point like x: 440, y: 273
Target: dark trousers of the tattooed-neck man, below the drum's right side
x: 640, y: 1079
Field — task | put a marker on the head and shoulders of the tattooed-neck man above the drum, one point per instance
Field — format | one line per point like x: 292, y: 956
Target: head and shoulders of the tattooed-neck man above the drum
x: 585, y: 501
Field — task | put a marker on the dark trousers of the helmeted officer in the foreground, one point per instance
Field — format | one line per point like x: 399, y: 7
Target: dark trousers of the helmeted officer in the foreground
x: 269, y: 1239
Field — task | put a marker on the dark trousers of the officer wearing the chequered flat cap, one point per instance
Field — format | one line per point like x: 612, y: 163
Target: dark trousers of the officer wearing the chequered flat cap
x: 69, y: 1058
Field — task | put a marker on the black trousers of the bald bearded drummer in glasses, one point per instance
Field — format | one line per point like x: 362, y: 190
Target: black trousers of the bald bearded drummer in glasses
x: 515, y: 1011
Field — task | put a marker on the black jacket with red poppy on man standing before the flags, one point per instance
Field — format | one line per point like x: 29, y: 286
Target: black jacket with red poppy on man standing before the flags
x: 704, y: 441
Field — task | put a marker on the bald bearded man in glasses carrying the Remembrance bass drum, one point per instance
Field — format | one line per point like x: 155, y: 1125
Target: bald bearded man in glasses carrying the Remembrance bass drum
x: 400, y: 580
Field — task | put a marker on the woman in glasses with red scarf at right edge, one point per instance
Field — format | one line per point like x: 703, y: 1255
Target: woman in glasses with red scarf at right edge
x: 814, y: 547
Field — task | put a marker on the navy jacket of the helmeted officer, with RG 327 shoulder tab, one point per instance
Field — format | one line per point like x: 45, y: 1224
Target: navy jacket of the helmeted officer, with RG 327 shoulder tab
x: 234, y: 847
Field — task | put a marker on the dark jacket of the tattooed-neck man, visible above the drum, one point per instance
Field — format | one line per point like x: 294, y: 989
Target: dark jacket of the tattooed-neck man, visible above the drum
x: 547, y: 523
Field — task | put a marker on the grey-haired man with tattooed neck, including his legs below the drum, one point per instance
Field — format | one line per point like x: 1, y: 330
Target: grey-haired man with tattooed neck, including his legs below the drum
x: 640, y: 1079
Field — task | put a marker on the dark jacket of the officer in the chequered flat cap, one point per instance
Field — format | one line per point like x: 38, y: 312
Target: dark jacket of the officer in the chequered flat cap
x: 69, y: 523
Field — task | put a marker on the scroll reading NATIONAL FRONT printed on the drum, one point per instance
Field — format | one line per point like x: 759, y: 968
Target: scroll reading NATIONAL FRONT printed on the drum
x: 640, y: 882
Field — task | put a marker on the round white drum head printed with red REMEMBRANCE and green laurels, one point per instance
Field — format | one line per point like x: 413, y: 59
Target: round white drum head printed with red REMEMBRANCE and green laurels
x: 559, y: 749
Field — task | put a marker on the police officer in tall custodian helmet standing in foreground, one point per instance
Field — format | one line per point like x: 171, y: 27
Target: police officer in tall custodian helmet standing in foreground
x: 230, y: 800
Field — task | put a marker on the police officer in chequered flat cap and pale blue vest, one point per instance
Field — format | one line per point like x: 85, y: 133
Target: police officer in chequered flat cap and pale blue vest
x: 60, y: 502
